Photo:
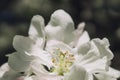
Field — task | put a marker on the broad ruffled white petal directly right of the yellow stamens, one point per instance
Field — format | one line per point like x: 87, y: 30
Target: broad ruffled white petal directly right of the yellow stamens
x: 92, y: 58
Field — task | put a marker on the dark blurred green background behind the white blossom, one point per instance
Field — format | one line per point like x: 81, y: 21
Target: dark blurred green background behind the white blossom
x: 102, y: 19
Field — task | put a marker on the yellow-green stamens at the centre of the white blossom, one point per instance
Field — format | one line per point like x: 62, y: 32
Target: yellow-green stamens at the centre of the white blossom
x: 62, y: 61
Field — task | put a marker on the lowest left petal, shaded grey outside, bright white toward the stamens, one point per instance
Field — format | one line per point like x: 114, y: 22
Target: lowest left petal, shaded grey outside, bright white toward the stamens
x: 23, y: 63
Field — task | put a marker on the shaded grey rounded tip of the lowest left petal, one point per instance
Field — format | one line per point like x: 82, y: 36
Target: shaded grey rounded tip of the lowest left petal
x: 17, y: 63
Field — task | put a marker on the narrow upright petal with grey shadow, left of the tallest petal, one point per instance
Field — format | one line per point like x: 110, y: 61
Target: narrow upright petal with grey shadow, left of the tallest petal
x: 36, y: 31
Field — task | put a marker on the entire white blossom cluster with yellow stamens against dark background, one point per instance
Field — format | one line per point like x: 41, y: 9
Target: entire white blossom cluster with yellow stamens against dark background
x: 58, y: 52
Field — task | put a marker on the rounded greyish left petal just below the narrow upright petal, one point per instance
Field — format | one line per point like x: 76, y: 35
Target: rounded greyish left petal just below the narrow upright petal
x: 25, y: 45
